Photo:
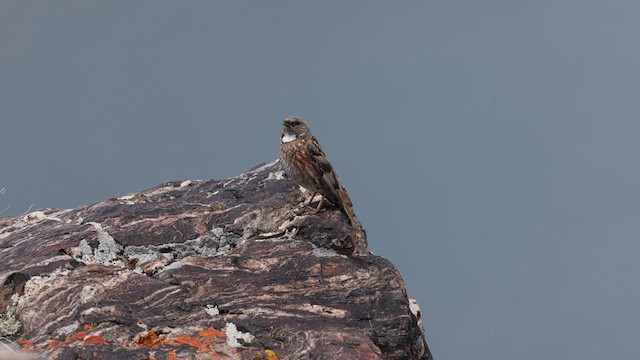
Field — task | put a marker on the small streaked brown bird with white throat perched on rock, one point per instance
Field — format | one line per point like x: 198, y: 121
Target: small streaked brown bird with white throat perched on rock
x: 307, y: 165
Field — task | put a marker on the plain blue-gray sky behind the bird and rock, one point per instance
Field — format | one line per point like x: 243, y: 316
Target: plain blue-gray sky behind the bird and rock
x: 490, y: 147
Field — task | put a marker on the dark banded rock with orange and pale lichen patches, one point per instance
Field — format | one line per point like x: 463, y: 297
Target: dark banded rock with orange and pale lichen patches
x: 229, y: 269
